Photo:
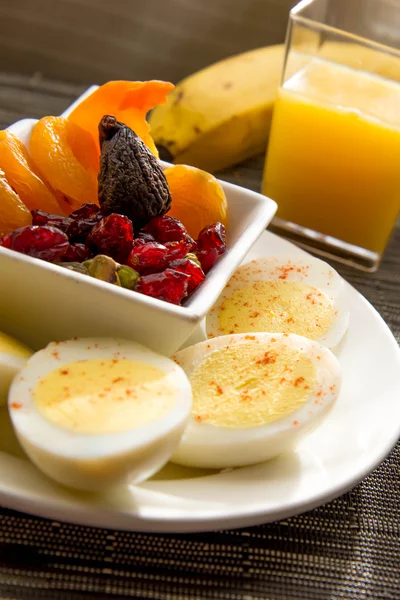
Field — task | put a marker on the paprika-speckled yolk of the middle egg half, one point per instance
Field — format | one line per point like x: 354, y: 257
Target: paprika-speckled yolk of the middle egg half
x: 251, y: 384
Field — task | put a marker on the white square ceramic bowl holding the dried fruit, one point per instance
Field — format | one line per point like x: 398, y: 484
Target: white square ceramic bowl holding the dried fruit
x: 41, y: 302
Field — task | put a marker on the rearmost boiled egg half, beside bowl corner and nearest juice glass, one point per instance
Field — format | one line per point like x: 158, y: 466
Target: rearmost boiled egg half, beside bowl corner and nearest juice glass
x: 286, y: 294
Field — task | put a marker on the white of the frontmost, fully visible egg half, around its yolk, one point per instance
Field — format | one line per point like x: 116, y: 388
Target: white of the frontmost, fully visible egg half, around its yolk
x: 96, y: 461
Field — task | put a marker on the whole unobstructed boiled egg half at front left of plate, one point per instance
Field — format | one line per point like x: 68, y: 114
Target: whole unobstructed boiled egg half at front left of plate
x: 93, y: 413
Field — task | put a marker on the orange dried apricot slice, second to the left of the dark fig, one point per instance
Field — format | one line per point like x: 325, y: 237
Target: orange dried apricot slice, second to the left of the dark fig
x: 23, y: 176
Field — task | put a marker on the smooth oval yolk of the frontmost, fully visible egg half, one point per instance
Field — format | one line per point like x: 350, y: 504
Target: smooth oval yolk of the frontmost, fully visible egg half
x: 104, y: 396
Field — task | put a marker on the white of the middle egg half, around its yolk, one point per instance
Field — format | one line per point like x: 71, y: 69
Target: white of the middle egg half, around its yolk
x: 208, y: 446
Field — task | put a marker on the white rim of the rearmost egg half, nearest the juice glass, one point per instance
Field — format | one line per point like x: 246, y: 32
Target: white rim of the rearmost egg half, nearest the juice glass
x: 308, y: 270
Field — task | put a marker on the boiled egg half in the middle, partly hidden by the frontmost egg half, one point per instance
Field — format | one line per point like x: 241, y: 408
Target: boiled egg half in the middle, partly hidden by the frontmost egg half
x: 254, y: 397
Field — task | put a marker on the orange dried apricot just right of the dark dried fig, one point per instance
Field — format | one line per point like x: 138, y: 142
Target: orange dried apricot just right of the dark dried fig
x: 197, y: 198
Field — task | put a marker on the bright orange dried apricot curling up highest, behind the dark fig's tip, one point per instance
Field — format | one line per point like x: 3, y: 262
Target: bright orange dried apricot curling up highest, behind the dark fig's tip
x: 128, y: 101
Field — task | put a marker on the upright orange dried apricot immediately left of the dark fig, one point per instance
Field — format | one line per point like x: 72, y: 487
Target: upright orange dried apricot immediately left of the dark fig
x: 67, y: 157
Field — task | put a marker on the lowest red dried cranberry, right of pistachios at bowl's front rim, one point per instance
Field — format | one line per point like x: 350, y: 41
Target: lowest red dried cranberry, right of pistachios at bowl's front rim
x: 170, y: 285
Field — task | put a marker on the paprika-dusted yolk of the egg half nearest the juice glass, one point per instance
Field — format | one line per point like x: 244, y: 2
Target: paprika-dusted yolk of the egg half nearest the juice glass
x: 277, y: 306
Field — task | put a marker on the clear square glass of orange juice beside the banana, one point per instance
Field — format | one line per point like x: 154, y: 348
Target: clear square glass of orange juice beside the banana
x: 333, y: 159
